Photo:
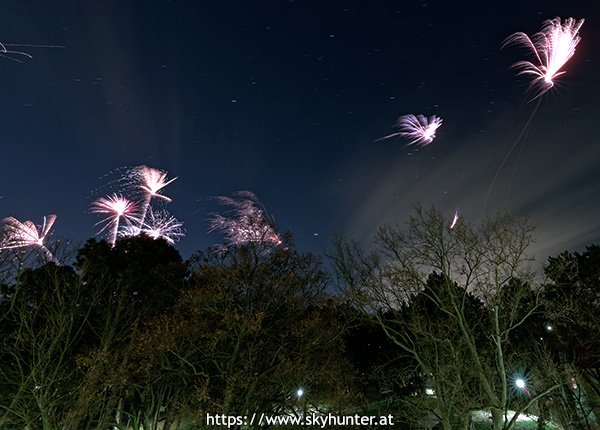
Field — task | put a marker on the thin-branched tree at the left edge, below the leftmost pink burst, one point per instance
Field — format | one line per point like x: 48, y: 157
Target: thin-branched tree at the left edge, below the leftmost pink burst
x: 43, y: 325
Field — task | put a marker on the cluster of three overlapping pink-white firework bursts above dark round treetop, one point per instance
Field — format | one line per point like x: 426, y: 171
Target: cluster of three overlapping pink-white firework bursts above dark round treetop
x: 126, y: 217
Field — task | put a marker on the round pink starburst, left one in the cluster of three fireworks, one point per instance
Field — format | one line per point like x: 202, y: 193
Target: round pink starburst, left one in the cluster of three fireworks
x: 116, y: 208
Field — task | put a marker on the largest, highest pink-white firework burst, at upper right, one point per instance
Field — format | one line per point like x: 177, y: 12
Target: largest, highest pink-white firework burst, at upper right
x: 552, y: 46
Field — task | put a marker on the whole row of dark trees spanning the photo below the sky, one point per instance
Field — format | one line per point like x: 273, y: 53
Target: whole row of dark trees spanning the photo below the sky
x: 431, y: 324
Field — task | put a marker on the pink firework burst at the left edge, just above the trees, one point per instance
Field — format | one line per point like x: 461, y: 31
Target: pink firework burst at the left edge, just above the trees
x: 26, y: 234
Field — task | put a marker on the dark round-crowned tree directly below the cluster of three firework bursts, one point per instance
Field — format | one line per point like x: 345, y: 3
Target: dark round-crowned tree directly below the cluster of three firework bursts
x: 135, y: 281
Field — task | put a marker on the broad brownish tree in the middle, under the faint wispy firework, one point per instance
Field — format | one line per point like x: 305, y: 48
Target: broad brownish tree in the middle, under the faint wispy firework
x: 252, y: 329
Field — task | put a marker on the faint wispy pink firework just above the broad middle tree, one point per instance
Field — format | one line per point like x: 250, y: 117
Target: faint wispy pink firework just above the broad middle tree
x: 245, y: 221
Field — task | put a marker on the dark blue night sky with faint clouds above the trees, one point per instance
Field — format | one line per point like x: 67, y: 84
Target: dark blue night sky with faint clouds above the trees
x: 285, y: 99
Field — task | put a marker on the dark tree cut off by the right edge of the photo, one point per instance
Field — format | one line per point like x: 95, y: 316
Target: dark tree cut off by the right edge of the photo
x: 572, y: 306
